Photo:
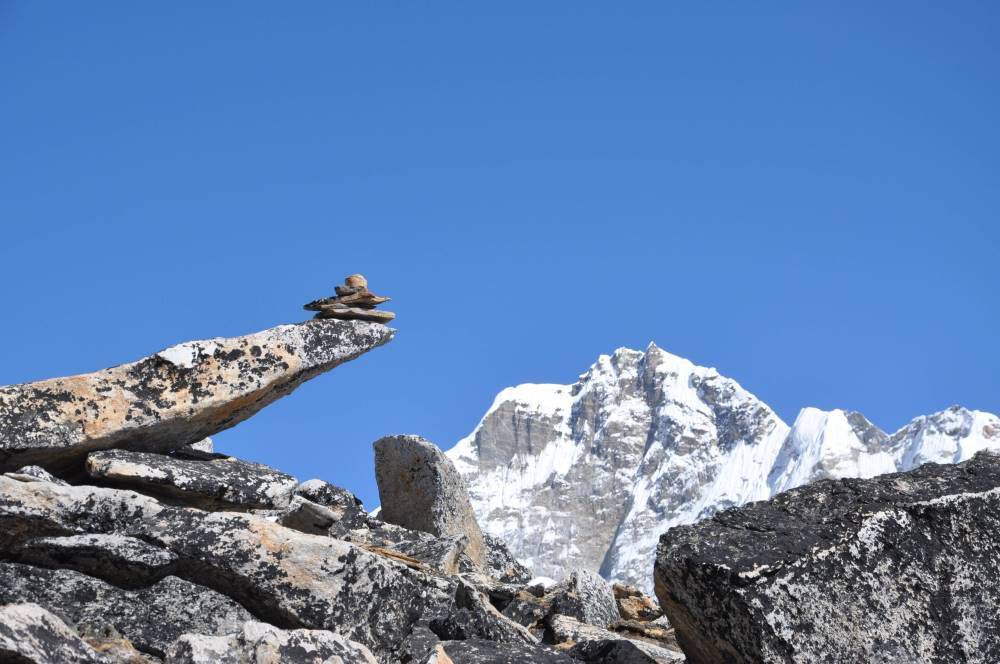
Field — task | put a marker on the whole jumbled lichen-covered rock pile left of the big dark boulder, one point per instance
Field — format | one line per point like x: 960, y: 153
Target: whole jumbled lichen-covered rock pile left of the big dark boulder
x: 125, y: 542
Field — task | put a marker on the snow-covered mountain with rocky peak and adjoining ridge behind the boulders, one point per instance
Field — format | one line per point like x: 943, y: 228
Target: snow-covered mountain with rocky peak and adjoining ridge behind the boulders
x: 590, y: 474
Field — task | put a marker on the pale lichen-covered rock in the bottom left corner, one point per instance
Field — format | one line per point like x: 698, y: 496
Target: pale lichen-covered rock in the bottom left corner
x: 31, y: 635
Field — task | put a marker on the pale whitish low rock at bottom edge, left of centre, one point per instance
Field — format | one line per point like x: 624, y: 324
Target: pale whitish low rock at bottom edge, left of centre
x: 261, y: 643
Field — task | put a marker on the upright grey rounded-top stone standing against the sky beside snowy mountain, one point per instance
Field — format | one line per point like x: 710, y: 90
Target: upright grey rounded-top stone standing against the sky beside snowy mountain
x: 420, y: 489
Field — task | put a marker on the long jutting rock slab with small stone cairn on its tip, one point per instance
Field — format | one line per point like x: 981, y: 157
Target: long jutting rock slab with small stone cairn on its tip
x: 173, y: 398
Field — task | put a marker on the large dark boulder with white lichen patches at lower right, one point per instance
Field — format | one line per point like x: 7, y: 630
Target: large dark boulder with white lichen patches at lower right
x: 898, y: 568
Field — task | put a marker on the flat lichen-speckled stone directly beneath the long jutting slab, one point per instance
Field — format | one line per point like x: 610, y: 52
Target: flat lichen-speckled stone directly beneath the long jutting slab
x: 196, y: 478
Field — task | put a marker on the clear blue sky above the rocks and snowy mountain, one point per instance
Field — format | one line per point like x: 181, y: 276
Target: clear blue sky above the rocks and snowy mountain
x: 805, y: 197
